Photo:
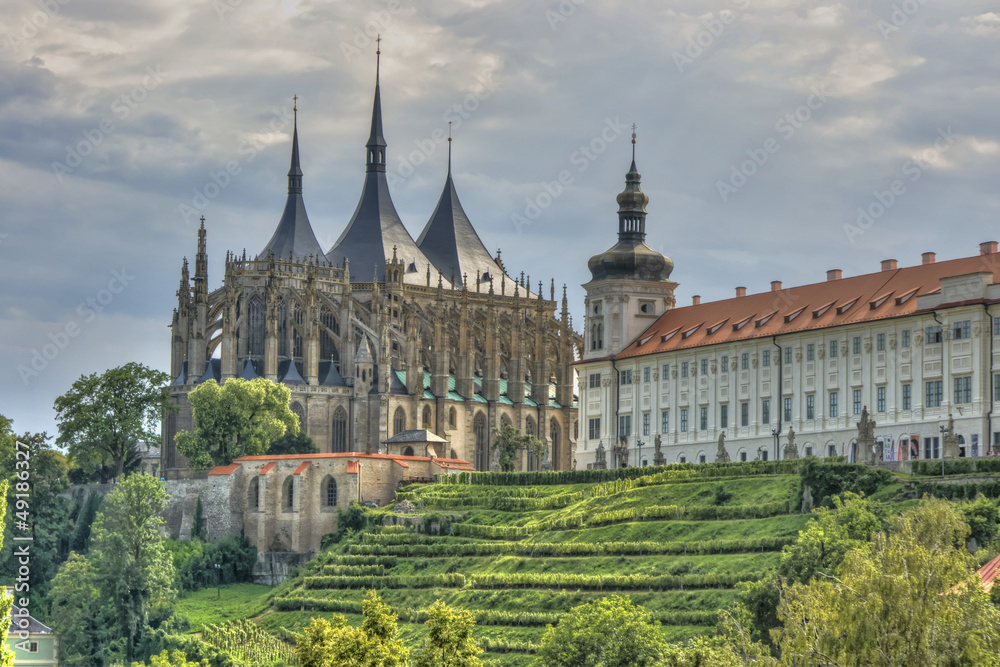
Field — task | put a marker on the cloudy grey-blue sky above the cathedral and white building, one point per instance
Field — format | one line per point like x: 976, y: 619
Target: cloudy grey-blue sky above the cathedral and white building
x: 776, y: 140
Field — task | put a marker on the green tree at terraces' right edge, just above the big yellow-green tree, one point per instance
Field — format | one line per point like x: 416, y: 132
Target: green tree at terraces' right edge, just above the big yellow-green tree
x: 821, y: 546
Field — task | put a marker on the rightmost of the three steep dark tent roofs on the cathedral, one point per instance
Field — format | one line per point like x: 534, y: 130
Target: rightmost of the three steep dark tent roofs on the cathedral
x: 451, y: 243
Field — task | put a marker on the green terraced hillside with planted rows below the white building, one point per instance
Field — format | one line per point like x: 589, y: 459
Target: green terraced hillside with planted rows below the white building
x: 519, y: 550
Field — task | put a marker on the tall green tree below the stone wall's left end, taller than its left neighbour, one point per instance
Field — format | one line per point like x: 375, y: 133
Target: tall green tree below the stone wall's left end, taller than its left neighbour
x: 134, y: 569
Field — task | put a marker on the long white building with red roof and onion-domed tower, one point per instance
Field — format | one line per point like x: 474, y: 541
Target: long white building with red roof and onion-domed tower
x: 897, y: 365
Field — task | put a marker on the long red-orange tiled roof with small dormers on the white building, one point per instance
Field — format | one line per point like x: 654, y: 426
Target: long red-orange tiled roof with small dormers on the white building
x: 874, y: 296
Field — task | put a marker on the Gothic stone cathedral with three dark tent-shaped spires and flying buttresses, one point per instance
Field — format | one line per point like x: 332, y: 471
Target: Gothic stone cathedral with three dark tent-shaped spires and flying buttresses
x: 381, y: 334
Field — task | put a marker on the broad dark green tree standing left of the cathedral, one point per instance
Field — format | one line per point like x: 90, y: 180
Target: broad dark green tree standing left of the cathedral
x: 103, y: 417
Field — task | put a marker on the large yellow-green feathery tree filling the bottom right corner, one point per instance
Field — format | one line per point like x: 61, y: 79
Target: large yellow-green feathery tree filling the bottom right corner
x: 910, y: 596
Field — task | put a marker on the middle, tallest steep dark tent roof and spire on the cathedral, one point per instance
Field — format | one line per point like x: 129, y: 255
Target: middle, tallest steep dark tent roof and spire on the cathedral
x: 375, y: 228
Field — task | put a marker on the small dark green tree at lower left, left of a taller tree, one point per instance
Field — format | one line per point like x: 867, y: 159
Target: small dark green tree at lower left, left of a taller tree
x: 78, y: 615
